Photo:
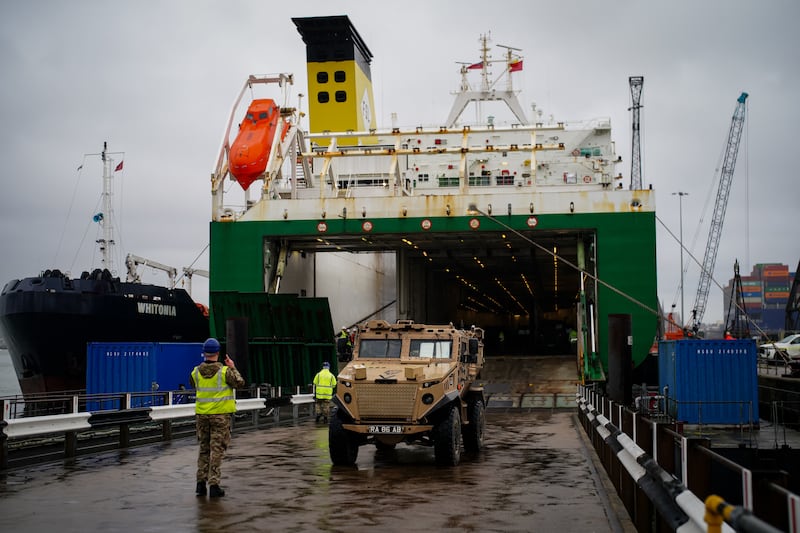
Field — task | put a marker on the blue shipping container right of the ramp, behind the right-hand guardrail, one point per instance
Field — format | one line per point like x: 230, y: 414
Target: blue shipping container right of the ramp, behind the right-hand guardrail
x: 710, y: 381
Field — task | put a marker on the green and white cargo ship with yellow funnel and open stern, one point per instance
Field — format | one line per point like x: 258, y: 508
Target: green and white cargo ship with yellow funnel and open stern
x: 521, y: 227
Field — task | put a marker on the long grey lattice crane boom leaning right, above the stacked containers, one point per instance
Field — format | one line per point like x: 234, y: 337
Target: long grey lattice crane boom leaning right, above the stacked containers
x: 715, y: 229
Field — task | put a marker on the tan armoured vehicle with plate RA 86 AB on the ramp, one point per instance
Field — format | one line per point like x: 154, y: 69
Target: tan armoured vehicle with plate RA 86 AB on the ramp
x: 411, y: 383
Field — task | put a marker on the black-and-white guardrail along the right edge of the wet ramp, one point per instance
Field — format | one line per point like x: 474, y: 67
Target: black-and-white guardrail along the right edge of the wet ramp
x: 654, y: 452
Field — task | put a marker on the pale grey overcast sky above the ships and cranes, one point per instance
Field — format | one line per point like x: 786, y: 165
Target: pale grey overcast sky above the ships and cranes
x: 156, y: 79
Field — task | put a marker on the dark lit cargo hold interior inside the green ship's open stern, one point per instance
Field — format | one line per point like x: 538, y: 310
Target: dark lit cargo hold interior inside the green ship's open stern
x: 522, y: 289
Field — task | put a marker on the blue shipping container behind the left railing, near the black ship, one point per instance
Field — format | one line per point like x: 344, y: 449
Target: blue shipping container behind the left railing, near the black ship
x: 119, y: 367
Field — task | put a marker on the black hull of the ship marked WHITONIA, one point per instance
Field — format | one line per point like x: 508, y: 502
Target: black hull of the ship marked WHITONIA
x: 47, y: 322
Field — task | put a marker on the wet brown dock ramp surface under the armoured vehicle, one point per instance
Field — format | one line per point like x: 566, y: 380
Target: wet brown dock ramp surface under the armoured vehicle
x: 537, y: 473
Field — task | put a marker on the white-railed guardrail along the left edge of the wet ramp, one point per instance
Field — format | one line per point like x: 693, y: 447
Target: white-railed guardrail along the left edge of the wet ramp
x: 36, y: 429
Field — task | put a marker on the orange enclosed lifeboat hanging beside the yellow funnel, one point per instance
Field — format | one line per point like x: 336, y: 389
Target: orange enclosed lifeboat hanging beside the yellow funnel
x: 250, y: 151
